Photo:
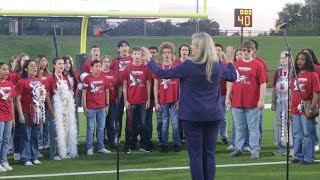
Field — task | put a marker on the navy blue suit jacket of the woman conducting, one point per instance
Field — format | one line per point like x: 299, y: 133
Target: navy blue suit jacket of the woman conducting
x: 199, y: 100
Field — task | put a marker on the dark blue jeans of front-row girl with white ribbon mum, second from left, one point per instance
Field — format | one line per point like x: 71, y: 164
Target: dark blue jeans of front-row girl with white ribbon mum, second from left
x: 29, y: 140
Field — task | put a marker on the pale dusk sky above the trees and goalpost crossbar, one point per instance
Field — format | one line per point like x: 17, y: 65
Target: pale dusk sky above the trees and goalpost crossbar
x: 264, y: 12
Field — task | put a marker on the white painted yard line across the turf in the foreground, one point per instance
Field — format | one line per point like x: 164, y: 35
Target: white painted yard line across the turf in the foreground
x: 137, y: 170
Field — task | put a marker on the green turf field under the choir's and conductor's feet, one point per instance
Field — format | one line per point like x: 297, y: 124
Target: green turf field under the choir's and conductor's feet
x: 155, y: 159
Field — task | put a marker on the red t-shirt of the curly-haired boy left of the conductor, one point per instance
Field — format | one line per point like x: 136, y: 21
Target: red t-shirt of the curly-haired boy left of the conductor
x: 171, y: 93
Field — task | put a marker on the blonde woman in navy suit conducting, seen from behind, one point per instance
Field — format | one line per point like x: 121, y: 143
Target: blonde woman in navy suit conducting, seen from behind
x: 200, y: 109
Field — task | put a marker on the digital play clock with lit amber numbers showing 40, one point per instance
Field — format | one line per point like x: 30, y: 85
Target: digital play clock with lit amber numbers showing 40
x: 242, y: 17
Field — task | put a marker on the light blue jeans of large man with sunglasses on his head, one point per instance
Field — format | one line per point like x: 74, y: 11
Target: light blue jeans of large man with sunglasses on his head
x: 247, y: 118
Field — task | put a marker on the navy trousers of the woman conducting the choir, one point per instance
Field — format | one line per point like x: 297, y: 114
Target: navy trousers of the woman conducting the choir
x: 201, y: 138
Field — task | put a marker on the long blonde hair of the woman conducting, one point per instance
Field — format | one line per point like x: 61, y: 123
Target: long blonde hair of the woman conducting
x: 207, y: 52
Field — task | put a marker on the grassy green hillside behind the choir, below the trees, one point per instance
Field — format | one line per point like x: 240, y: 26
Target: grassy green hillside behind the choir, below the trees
x: 269, y: 46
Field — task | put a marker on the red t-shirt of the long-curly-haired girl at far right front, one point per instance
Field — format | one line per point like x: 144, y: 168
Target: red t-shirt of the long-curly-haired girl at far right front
x: 308, y: 83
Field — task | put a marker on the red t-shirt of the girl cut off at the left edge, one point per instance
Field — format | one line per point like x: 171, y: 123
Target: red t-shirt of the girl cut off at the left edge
x: 6, y: 93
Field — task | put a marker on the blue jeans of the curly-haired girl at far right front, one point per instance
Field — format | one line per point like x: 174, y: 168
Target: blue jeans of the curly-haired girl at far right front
x: 303, y: 137
